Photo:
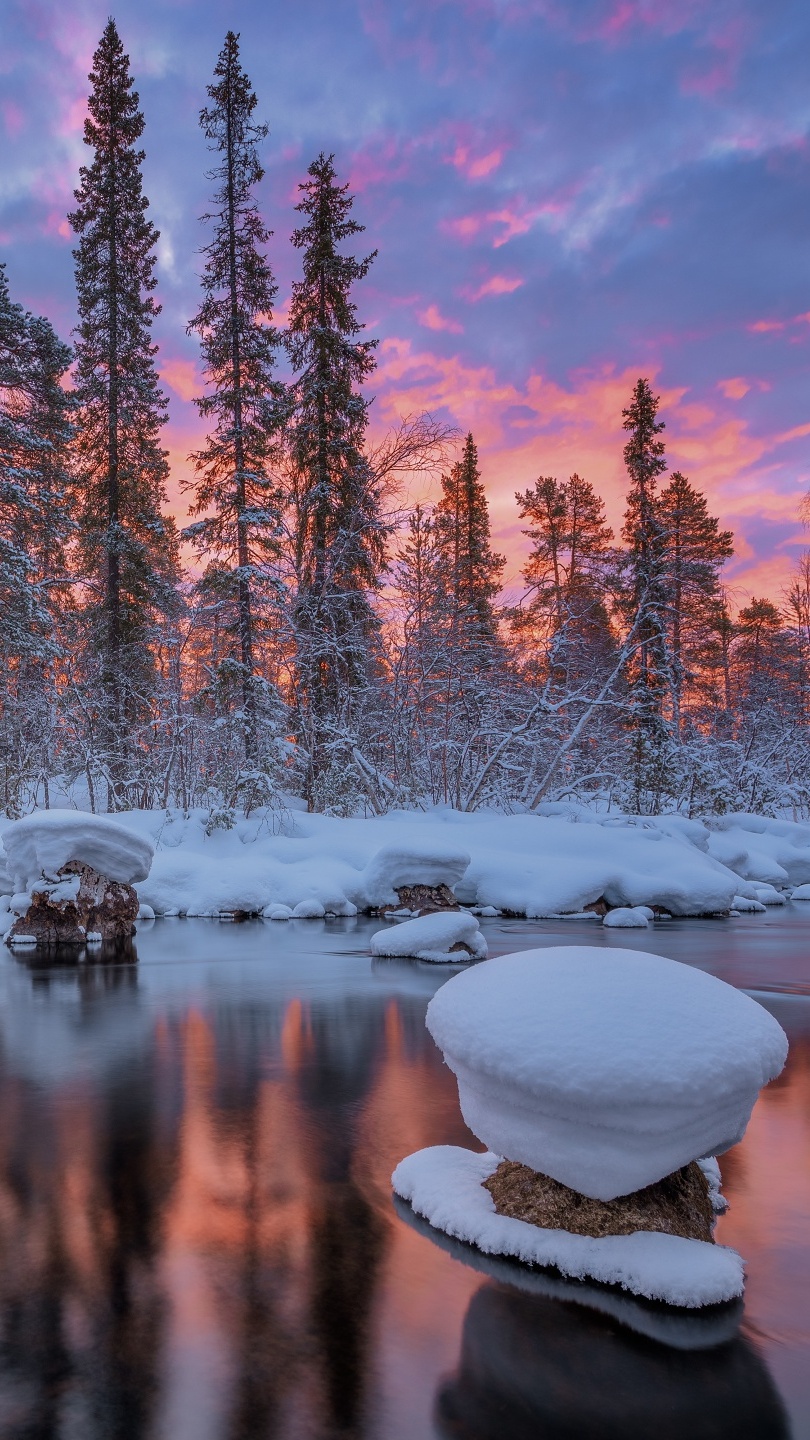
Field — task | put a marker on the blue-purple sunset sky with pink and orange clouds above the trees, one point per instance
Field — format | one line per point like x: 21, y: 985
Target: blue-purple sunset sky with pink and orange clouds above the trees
x: 564, y: 195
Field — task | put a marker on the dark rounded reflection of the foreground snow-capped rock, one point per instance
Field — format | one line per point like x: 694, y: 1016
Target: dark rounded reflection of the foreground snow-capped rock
x: 534, y: 1366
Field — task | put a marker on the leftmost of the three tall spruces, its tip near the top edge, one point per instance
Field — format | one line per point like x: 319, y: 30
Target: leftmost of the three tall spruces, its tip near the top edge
x: 128, y: 548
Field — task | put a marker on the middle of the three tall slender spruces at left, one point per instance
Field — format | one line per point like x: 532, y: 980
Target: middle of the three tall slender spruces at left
x: 237, y: 493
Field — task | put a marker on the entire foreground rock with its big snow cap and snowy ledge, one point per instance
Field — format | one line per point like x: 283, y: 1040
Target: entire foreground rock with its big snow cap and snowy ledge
x: 603, y: 1084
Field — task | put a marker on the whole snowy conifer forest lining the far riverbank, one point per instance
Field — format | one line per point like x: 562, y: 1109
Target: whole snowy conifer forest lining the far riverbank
x: 329, y: 639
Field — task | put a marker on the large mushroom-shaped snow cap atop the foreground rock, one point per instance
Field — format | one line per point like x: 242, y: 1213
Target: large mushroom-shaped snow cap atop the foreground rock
x: 605, y: 1069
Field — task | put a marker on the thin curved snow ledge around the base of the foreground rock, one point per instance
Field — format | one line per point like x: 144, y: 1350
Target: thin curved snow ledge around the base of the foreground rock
x: 445, y: 1184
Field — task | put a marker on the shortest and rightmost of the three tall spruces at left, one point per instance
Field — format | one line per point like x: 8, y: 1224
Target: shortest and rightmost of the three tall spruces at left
x: 339, y: 529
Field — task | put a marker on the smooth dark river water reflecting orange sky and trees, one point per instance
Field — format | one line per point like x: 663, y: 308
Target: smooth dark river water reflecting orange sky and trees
x: 198, y: 1239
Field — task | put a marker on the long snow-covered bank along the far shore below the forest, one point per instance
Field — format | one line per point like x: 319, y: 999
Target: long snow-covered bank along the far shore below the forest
x: 525, y: 865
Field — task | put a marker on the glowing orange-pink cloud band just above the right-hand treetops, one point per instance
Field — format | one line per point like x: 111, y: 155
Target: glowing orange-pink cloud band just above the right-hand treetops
x: 544, y: 428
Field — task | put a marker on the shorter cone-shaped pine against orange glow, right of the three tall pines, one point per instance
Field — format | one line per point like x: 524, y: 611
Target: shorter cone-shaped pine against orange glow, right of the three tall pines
x: 471, y: 568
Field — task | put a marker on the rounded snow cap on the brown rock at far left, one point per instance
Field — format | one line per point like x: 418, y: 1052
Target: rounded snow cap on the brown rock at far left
x: 41, y: 845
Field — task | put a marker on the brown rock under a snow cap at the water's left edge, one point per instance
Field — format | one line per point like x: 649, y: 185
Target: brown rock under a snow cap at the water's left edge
x: 77, y: 904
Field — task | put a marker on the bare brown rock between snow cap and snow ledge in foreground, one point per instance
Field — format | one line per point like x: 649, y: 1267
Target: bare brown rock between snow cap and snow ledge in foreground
x: 678, y: 1205
